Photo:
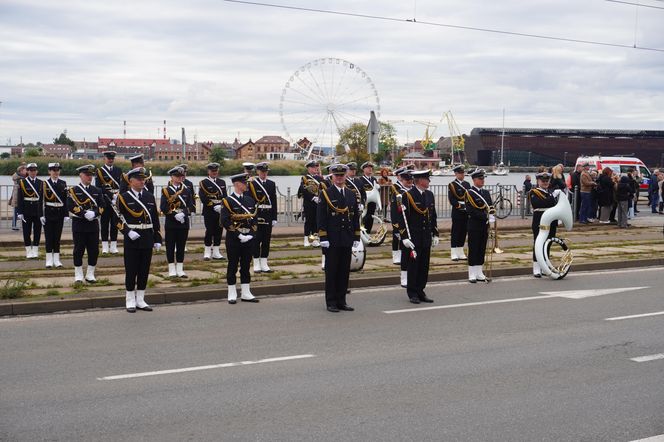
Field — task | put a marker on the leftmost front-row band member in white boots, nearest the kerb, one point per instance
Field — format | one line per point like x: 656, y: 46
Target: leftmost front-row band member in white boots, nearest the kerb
x: 140, y: 226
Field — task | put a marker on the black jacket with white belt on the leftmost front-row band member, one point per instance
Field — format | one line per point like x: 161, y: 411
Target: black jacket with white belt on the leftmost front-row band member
x: 137, y: 219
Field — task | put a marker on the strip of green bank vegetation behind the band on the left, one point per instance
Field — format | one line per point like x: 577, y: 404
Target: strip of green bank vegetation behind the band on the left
x: 196, y: 168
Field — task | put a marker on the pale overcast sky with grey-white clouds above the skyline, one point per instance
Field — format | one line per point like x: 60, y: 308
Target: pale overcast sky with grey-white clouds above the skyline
x: 219, y: 68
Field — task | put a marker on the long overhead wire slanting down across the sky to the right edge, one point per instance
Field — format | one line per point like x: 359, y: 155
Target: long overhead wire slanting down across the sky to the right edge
x: 446, y: 25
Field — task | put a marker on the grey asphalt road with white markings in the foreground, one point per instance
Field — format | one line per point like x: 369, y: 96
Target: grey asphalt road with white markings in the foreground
x: 545, y: 368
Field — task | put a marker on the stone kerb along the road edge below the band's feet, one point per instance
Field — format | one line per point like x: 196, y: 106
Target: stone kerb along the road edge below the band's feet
x: 218, y: 292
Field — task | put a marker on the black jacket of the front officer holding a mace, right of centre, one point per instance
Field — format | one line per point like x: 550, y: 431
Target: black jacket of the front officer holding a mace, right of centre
x: 421, y: 216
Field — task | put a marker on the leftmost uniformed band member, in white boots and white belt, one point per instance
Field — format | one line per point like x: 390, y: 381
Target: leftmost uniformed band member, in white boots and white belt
x: 30, y: 210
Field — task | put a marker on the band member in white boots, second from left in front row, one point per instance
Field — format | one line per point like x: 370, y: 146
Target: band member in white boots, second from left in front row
x: 238, y: 216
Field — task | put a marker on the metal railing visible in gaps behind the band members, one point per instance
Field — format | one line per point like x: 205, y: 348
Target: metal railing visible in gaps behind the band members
x: 290, y: 206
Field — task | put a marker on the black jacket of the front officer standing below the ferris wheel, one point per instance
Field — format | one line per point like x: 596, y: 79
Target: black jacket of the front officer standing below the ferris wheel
x: 338, y: 217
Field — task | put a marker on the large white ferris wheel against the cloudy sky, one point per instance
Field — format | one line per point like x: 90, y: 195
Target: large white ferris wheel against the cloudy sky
x: 324, y: 96
